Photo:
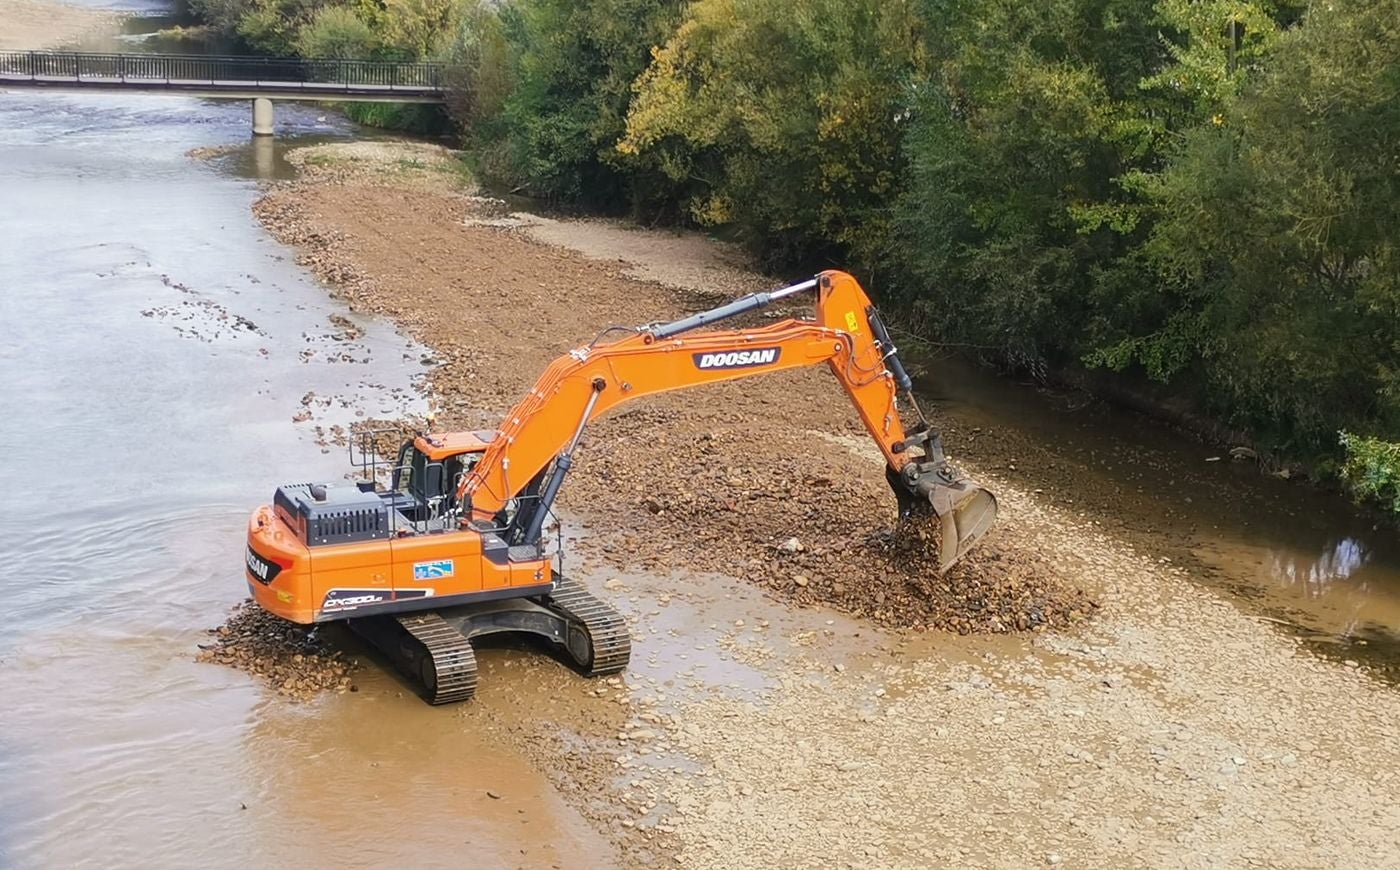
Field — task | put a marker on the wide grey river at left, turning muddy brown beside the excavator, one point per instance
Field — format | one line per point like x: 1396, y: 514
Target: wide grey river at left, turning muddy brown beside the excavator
x: 156, y: 345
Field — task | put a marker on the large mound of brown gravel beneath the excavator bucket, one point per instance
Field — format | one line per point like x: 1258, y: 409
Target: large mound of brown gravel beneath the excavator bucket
x: 813, y: 532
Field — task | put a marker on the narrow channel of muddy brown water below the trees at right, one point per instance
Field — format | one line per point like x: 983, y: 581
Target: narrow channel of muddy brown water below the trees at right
x: 1286, y: 550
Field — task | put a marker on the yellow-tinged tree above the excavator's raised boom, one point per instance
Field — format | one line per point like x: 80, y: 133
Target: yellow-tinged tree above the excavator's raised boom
x: 782, y: 120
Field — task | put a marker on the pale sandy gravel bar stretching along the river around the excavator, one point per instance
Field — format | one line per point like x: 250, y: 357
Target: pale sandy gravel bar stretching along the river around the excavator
x: 757, y: 729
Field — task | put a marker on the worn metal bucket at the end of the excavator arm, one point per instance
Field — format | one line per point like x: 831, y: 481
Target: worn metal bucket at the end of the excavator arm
x: 964, y: 509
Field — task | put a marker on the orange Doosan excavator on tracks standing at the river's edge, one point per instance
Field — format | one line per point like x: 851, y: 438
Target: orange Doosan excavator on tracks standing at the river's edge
x: 451, y: 547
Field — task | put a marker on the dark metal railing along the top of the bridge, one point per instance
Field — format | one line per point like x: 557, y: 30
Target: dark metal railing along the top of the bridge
x: 219, y: 71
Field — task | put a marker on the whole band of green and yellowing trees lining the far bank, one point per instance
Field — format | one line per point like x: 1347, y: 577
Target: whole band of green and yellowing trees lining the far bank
x: 1196, y: 193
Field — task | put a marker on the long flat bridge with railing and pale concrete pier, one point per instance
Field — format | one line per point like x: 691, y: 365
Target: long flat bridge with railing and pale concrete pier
x: 227, y: 78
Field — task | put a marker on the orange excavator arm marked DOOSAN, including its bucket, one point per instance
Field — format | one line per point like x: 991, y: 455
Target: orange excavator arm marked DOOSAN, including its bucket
x: 542, y: 431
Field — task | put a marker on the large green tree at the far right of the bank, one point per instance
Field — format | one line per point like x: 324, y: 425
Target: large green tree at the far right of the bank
x: 1275, y: 246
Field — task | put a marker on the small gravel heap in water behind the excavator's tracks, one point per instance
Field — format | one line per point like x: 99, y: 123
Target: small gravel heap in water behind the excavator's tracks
x: 293, y: 659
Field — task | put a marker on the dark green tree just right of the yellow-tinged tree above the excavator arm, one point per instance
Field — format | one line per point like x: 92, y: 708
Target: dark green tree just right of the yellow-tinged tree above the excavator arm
x: 1014, y: 229
